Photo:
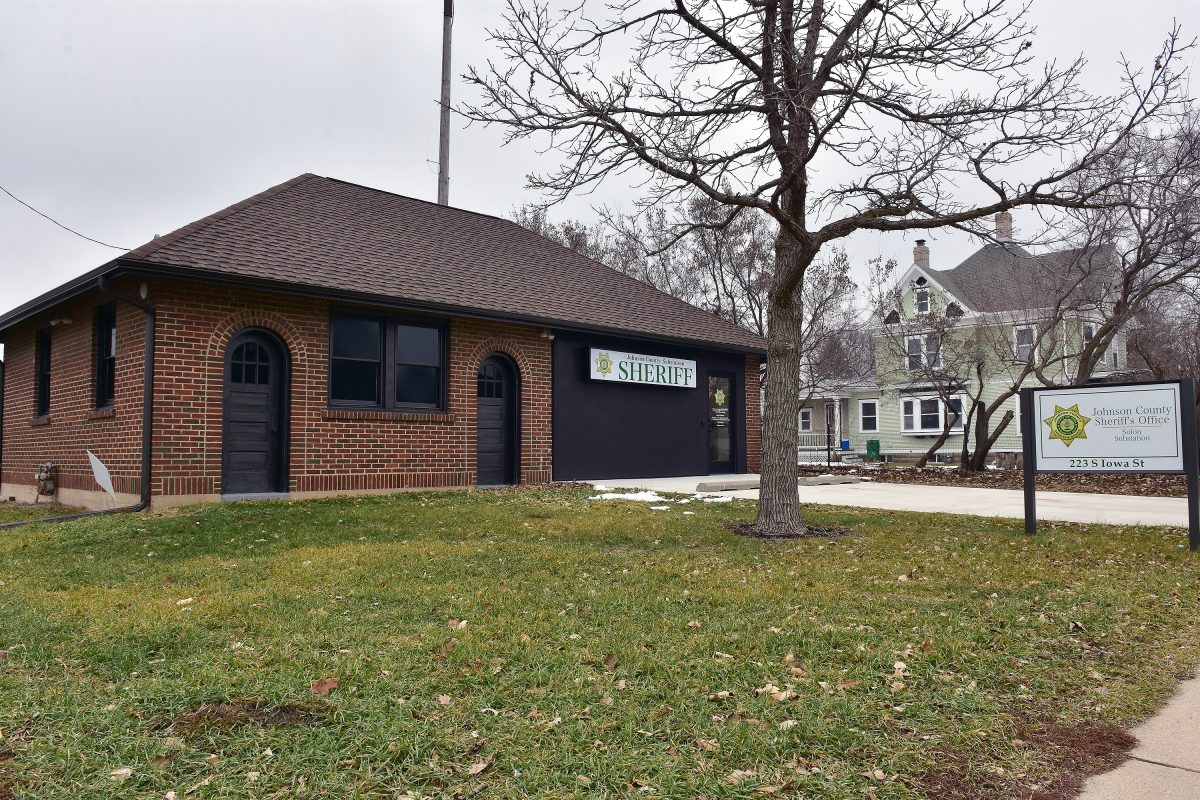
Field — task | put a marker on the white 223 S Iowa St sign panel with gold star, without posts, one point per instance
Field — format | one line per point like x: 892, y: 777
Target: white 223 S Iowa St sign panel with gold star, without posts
x: 1120, y: 430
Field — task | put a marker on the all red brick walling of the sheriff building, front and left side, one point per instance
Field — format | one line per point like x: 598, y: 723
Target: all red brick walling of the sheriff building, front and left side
x: 331, y: 450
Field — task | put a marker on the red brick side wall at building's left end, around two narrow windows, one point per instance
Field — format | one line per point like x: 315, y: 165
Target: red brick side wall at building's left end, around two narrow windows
x: 74, y: 425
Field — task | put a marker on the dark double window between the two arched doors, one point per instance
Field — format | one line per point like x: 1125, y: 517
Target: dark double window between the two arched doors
x: 387, y: 364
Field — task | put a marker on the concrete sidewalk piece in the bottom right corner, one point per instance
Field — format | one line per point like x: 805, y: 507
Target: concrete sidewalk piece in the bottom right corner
x: 1166, y: 765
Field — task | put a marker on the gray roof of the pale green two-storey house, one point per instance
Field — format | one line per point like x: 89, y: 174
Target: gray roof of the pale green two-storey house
x: 1009, y: 278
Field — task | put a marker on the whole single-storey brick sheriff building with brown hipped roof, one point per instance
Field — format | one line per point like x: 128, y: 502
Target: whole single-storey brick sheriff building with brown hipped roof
x: 322, y: 339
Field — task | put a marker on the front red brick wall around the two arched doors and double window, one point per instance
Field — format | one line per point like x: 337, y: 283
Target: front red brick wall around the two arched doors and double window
x: 332, y: 450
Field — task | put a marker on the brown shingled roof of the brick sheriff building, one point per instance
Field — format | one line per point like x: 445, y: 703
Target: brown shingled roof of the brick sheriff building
x: 327, y: 234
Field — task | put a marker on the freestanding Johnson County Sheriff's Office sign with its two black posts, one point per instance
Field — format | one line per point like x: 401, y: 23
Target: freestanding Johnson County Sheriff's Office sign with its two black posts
x: 1148, y: 428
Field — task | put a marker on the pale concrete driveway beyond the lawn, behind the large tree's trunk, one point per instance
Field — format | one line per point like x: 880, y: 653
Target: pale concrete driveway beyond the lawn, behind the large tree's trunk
x: 1063, y: 507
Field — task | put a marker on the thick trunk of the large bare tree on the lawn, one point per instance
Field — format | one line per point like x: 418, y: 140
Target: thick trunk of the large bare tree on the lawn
x: 779, y: 497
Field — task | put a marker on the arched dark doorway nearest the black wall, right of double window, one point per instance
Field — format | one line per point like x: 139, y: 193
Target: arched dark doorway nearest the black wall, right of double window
x: 497, y: 423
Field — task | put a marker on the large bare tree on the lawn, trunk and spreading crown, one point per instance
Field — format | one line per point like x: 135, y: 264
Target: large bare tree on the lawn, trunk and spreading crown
x: 755, y: 105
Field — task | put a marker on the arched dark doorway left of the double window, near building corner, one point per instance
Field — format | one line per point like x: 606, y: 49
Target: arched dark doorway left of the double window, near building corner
x: 255, y: 432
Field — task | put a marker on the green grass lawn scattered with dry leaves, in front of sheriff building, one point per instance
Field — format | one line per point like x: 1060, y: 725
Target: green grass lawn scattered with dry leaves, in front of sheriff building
x: 535, y: 643
